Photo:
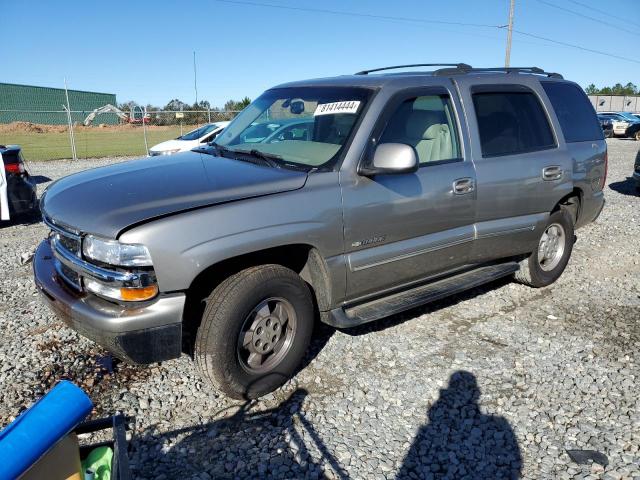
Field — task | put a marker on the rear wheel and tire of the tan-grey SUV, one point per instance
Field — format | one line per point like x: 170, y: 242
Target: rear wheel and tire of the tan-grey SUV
x: 536, y: 273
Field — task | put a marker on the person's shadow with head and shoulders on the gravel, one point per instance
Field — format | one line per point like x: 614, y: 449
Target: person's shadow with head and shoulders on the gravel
x: 460, y: 442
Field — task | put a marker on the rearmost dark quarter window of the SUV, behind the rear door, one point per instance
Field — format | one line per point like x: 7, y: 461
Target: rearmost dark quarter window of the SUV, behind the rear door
x: 574, y: 111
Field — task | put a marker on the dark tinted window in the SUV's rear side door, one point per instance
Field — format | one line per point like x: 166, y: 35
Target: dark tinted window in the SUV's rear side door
x: 511, y: 122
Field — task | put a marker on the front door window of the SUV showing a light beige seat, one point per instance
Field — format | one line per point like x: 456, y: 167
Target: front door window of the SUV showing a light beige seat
x: 425, y: 123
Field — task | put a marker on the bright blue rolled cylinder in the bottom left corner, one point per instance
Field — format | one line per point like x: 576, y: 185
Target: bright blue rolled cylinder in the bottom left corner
x: 37, y: 429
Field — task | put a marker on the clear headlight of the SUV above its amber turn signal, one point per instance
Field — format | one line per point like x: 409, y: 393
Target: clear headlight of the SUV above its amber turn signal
x: 113, y: 252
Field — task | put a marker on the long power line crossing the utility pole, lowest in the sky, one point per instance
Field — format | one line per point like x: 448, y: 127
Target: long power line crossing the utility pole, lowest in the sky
x: 421, y: 20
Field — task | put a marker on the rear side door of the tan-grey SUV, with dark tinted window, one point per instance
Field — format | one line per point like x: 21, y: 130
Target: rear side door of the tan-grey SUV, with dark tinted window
x: 521, y: 170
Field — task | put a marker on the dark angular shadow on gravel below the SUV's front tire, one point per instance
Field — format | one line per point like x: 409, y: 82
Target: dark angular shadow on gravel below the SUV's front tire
x: 272, y: 443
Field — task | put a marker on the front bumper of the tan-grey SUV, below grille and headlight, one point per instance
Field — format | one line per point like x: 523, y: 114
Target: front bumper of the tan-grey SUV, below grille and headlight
x: 140, y: 334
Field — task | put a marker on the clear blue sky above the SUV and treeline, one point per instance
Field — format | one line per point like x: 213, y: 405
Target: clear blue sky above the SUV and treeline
x: 143, y: 50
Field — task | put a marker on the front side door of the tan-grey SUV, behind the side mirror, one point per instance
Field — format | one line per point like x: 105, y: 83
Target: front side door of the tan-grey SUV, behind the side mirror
x: 401, y: 228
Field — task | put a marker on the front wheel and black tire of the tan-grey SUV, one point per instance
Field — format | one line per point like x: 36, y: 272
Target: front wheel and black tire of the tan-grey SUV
x: 235, y: 315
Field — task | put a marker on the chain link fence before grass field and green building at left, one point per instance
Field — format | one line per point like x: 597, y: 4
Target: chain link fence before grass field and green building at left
x: 48, y: 135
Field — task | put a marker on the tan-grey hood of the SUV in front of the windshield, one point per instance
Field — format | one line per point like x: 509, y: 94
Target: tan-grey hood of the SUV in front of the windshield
x: 104, y: 201
